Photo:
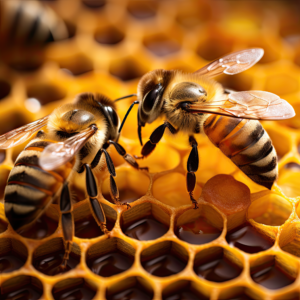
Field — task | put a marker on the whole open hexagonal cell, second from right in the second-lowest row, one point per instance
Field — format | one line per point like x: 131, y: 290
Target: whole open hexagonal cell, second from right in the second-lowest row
x: 217, y: 264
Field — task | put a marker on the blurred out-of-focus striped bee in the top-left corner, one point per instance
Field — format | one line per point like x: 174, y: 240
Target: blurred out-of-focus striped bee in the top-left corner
x: 25, y: 28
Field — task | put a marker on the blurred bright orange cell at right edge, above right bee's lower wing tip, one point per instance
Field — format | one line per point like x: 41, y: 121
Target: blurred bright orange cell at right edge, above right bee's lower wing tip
x: 281, y: 84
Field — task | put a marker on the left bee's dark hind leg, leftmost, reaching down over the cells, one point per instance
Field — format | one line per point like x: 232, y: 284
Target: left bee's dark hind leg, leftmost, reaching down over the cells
x: 67, y: 222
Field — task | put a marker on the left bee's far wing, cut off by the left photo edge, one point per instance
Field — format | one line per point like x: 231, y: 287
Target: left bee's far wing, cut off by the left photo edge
x: 21, y: 134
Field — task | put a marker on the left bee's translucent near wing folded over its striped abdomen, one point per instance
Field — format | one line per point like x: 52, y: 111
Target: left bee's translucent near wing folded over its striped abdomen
x: 58, y: 154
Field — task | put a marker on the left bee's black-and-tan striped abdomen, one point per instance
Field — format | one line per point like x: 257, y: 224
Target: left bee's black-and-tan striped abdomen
x: 30, y: 189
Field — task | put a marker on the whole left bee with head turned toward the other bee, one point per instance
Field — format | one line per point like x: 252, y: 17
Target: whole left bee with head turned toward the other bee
x: 74, y: 139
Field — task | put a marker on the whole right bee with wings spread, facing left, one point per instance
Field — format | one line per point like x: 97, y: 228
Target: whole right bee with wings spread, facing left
x: 195, y: 103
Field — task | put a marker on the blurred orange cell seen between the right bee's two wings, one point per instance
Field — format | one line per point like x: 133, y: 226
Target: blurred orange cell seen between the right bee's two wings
x: 239, y: 82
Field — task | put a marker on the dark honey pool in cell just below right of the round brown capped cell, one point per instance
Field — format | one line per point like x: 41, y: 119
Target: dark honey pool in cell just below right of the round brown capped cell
x: 248, y: 239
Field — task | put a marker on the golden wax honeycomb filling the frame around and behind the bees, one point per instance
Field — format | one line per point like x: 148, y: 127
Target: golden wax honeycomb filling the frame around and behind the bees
x: 111, y: 45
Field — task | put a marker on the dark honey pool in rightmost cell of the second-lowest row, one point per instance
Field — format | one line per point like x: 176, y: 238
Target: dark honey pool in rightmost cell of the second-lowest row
x: 271, y: 276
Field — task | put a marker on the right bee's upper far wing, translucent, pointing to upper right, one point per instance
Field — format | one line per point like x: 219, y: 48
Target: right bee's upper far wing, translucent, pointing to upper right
x: 233, y: 63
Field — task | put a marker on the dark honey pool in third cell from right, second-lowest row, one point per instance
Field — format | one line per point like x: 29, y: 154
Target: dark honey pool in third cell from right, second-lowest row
x: 164, y: 265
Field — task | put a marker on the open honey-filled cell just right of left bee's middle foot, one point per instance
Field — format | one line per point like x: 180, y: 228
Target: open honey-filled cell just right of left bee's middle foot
x: 145, y: 222
